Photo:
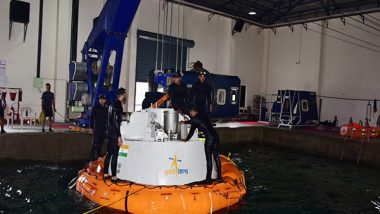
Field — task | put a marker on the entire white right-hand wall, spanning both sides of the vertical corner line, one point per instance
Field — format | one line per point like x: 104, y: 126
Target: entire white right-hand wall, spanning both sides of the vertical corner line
x: 327, y: 66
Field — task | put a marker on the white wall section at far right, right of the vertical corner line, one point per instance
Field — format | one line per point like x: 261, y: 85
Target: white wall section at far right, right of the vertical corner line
x: 349, y: 71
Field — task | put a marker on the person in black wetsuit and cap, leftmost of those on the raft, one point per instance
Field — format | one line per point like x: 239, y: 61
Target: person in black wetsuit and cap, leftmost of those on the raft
x: 98, y: 126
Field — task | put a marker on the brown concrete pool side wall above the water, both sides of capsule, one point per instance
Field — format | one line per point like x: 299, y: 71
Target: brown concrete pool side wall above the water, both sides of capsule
x: 73, y: 146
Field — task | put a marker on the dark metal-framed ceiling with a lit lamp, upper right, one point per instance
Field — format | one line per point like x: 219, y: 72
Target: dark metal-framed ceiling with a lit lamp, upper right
x: 277, y: 13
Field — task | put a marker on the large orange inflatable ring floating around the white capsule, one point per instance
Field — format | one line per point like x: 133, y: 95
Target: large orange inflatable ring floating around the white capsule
x: 138, y: 198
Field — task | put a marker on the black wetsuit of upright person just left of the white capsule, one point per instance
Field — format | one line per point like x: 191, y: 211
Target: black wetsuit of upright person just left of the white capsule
x: 113, y: 133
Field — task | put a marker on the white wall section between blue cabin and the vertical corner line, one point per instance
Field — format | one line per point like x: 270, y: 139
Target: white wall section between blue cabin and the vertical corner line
x: 293, y: 60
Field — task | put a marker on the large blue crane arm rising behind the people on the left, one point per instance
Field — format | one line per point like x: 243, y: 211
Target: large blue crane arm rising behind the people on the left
x: 94, y: 75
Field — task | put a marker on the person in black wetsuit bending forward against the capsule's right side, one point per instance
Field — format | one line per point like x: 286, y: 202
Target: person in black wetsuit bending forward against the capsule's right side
x: 204, y: 125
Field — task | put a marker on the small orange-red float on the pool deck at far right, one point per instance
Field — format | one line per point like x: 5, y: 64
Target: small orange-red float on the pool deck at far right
x: 358, y: 131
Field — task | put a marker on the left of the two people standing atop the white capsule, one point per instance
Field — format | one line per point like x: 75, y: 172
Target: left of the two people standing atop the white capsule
x: 178, y: 95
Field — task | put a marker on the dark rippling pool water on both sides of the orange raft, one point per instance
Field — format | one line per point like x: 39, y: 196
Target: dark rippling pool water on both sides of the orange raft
x: 278, y: 181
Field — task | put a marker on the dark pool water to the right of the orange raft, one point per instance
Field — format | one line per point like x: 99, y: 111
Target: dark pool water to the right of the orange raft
x: 283, y: 181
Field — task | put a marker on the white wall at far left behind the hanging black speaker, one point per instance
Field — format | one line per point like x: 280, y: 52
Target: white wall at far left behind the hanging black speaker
x: 21, y: 57
